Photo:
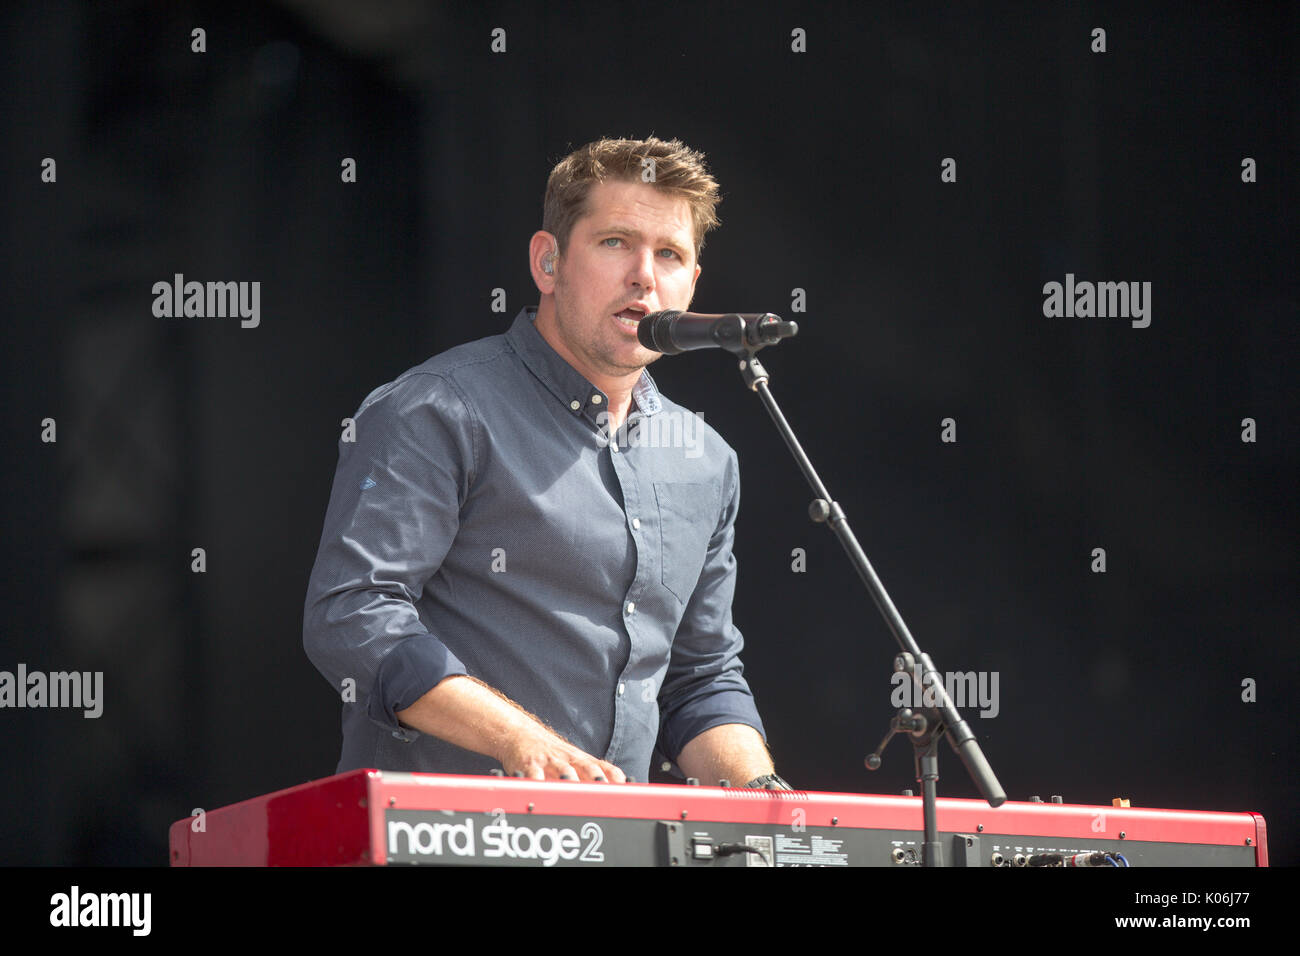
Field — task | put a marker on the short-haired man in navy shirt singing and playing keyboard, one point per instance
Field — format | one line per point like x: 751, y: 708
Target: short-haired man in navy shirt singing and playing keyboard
x: 510, y: 576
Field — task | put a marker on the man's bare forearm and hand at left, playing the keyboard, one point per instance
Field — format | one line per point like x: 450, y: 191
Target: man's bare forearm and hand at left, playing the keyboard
x: 471, y: 715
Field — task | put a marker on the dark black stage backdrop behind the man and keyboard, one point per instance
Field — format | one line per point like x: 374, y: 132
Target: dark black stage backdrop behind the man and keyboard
x: 924, y: 302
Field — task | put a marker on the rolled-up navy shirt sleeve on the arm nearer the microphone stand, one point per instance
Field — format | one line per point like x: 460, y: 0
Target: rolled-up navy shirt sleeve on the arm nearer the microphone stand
x: 705, y: 686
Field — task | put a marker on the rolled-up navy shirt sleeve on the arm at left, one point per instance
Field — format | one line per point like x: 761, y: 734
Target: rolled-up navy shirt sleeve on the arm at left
x: 393, y: 514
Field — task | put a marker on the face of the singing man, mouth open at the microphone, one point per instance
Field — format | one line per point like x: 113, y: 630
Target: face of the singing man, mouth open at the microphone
x: 635, y: 249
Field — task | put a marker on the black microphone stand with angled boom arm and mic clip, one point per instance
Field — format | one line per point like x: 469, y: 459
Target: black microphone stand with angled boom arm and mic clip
x: 938, y: 716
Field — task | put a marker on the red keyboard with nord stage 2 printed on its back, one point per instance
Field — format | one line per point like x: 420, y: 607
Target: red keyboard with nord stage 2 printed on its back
x: 371, y: 817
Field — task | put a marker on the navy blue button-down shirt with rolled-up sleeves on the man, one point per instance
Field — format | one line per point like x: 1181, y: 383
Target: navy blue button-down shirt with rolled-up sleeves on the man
x: 487, y: 521
